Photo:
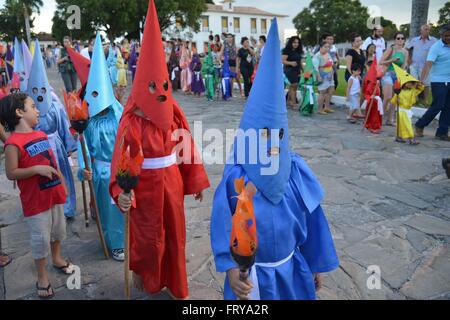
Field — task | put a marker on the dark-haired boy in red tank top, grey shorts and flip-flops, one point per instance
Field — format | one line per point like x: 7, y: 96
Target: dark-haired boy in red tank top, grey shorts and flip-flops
x: 31, y: 162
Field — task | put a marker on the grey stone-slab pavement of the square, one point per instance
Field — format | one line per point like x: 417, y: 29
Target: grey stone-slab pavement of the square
x: 388, y: 206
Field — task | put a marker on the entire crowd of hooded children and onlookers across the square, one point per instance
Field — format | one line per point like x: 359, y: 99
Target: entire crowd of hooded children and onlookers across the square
x: 123, y: 141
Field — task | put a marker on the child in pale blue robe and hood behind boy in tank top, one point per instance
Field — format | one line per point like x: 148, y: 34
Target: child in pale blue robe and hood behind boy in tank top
x: 54, y: 122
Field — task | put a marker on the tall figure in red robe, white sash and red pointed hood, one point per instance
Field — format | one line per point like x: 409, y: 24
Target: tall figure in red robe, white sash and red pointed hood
x: 157, y: 223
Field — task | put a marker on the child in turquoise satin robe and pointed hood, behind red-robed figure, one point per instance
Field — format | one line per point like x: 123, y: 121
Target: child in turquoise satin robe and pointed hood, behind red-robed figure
x: 105, y: 113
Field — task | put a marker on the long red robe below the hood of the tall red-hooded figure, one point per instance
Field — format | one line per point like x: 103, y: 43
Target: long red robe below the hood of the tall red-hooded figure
x: 157, y: 223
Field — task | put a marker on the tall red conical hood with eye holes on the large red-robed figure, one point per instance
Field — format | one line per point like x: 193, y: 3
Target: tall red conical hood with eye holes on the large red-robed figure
x: 152, y: 91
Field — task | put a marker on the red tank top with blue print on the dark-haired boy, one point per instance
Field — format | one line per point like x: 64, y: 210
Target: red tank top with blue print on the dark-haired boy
x: 37, y: 193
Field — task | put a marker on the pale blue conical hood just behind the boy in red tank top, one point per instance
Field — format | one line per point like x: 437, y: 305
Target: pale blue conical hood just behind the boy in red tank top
x: 38, y: 87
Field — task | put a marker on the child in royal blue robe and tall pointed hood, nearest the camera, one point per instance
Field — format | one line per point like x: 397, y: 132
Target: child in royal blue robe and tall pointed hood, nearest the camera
x: 295, y: 243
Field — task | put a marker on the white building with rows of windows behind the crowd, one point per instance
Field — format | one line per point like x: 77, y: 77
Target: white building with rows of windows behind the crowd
x: 240, y: 21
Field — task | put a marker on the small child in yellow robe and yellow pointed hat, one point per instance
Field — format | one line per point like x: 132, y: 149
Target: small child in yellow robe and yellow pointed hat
x: 409, y: 89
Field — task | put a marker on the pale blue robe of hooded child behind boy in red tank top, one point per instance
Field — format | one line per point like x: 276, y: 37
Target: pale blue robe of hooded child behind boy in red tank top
x: 55, y: 124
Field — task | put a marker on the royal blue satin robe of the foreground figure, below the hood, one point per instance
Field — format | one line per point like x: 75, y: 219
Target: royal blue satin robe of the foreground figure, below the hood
x: 296, y: 226
